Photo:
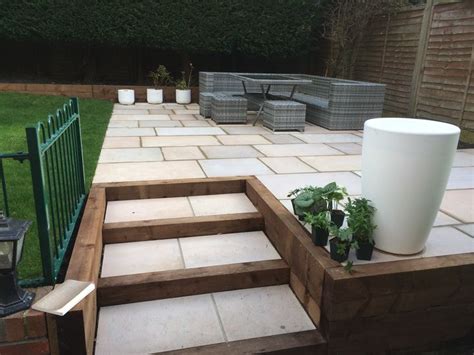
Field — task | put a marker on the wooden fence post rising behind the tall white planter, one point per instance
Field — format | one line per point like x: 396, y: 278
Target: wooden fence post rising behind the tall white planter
x: 420, y: 57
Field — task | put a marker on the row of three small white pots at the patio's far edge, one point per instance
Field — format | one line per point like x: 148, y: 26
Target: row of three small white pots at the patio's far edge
x: 161, y: 77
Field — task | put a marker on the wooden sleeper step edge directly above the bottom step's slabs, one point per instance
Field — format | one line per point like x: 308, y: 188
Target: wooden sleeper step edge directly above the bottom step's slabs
x: 187, y: 282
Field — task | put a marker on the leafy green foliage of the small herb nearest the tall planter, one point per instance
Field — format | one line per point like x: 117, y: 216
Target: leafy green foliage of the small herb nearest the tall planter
x: 359, y: 217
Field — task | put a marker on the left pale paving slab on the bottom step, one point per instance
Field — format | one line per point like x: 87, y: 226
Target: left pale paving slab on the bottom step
x: 156, y: 326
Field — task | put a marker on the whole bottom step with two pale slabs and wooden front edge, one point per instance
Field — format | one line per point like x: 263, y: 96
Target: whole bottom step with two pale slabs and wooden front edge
x: 263, y: 320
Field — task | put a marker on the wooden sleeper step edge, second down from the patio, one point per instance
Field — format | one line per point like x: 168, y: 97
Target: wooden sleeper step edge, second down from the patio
x: 181, y: 227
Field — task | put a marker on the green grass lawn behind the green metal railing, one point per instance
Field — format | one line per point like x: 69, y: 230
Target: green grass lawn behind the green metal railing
x: 18, y: 111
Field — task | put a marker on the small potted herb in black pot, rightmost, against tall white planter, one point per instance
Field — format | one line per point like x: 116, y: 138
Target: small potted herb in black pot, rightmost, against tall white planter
x: 360, y: 213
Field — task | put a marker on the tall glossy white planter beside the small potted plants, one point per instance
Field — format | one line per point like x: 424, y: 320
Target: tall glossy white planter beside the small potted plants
x: 405, y: 169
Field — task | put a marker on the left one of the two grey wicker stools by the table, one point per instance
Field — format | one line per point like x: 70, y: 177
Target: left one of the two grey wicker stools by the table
x: 228, y: 109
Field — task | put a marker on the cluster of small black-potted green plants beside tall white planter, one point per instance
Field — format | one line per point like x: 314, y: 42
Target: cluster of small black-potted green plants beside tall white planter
x: 318, y: 207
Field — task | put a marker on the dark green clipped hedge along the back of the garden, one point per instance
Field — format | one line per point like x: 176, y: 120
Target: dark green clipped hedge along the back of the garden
x: 252, y: 27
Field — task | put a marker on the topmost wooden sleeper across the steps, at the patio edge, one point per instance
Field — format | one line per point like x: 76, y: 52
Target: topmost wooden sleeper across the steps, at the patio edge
x: 173, y: 188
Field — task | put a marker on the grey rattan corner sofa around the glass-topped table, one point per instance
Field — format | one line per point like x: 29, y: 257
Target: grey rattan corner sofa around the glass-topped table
x: 330, y: 103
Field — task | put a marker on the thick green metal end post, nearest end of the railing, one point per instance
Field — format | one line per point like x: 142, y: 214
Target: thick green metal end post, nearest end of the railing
x: 41, y: 202
